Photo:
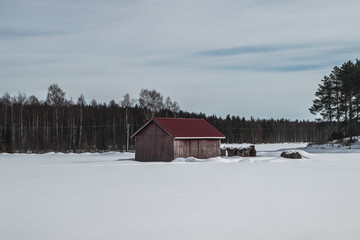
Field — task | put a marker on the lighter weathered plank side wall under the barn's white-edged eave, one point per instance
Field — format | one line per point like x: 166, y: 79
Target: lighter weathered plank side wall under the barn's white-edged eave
x: 198, y: 148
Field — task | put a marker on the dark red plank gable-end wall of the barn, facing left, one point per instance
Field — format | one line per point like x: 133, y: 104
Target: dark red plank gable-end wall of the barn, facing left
x: 154, y: 144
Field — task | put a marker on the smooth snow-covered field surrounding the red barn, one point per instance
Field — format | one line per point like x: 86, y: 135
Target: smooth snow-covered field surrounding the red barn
x: 110, y: 196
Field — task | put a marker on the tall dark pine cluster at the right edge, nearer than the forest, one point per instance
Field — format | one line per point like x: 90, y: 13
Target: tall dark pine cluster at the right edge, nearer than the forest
x: 338, y: 100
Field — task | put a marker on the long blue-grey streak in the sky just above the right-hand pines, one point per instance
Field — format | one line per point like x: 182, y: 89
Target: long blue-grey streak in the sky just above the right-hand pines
x: 264, y: 58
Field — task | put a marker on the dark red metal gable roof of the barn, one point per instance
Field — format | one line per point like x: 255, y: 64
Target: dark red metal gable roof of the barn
x: 186, y: 128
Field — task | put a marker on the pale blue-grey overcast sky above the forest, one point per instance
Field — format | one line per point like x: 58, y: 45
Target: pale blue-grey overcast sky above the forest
x: 260, y: 58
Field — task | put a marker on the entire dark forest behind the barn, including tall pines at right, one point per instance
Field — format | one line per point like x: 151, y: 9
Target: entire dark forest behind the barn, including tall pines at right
x: 59, y: 124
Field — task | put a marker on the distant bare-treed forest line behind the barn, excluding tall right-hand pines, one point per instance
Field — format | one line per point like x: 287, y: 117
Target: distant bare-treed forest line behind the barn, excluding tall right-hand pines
x: 28, y: 124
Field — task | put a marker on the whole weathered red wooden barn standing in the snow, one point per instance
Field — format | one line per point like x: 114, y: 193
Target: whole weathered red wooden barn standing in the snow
x: 164, y: 139
